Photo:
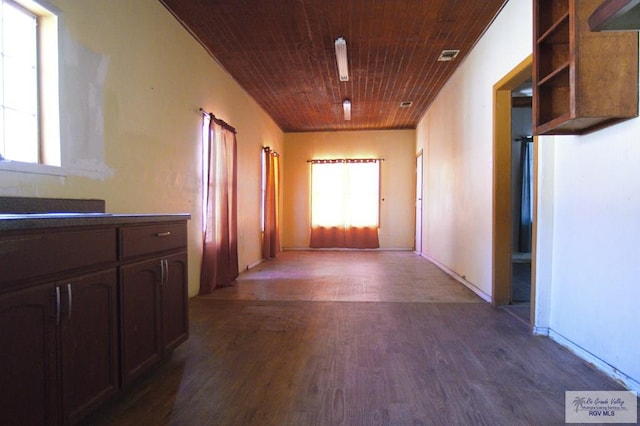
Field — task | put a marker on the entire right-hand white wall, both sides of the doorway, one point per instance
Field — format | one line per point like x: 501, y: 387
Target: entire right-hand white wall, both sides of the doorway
x: 588, y: 236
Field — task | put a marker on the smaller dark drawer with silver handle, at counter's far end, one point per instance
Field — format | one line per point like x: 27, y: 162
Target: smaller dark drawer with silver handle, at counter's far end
x: 142, y: 240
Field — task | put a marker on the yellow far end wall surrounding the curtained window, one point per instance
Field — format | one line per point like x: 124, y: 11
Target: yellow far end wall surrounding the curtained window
x: 396, y: 147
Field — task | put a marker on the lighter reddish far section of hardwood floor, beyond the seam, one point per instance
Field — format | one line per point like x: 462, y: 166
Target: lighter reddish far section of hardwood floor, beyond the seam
x: 348, y: 276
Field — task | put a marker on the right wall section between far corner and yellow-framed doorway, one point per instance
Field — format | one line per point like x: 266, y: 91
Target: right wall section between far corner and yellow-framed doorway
x: 456, y: 135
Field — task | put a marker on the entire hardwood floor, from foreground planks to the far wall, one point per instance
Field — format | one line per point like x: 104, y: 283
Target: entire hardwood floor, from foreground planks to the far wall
x: 354, y: 338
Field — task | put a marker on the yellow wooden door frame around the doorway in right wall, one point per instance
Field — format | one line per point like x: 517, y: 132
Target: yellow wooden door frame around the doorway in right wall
x: 502, y: 225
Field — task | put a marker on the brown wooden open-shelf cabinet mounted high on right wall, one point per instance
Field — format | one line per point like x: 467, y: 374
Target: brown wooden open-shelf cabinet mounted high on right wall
x: 583, y: 80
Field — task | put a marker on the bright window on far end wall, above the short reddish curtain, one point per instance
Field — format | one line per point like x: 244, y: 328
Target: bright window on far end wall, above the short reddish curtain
x: 345, y: 193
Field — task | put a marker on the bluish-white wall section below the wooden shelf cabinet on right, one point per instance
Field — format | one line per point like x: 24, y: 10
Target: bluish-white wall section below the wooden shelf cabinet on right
x: 595, y: 292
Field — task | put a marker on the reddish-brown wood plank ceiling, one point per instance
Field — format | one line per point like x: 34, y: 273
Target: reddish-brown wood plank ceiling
x: 282, y: 53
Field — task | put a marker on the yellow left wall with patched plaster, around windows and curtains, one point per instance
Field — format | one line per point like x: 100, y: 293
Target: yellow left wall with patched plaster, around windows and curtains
x: 132, y: 80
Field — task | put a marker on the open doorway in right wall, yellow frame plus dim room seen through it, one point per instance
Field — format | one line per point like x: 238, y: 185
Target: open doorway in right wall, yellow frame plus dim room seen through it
x: 514, y: 194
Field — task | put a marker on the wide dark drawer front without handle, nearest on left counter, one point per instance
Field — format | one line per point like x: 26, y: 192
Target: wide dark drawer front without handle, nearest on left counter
x: 28, y: 256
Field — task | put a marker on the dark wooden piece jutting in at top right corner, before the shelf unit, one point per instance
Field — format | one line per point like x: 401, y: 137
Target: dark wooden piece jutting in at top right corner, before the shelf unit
x: 616, y: 15
